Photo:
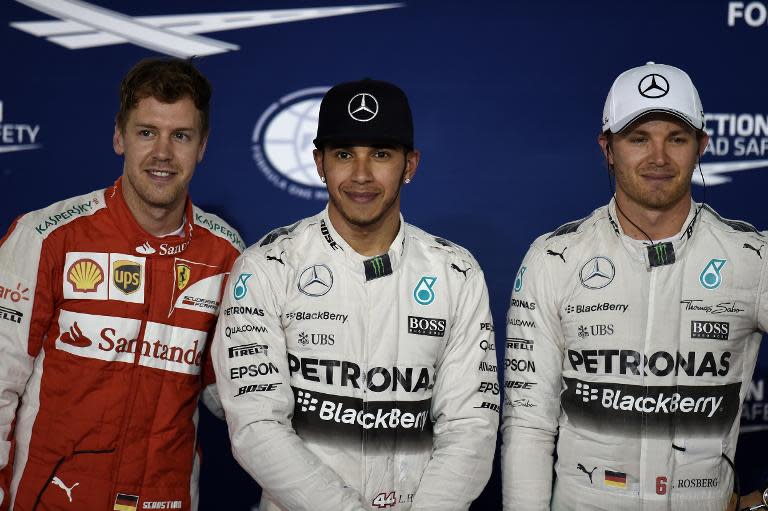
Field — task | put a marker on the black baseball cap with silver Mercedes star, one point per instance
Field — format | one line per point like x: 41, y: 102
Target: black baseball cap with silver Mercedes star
x: 365, y: 111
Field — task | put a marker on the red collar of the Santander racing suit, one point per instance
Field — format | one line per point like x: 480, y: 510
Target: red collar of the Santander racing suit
x: 145, y: 243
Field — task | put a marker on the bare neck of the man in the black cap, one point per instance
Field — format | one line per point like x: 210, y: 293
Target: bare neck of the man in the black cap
x: 370, y: 239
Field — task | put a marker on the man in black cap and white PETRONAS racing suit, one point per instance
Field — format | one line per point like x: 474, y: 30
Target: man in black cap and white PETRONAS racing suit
x: 355, y: 352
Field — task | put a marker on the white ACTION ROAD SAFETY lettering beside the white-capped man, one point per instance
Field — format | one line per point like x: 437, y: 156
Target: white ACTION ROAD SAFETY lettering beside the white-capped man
x: 741, y: 138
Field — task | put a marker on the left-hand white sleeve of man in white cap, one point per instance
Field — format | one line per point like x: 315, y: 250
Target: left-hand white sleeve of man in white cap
x: 533, y: 364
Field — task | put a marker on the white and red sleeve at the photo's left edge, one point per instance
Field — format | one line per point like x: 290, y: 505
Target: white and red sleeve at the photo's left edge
x: 25, y: 312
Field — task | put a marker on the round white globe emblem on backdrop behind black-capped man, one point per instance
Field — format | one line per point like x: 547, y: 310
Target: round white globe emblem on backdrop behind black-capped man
x: 282, y: 143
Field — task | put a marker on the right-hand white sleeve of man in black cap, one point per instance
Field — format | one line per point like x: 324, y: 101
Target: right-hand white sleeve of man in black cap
x: 464, y: 407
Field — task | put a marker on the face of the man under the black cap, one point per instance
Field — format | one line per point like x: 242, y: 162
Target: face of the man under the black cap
x: 364, y: 183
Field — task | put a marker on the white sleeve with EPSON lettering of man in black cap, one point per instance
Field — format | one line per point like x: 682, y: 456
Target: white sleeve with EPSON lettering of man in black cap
x: 253, y: 378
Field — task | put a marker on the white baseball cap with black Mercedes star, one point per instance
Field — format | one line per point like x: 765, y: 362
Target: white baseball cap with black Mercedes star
x: 652, y: 88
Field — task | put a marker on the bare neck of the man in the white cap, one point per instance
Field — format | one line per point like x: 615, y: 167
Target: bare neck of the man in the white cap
x: 658, y: 224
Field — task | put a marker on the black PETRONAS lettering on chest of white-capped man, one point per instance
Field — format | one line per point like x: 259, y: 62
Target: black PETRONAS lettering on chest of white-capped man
x: 659, y: 363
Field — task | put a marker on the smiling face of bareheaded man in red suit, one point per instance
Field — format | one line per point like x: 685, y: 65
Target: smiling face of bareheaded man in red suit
x: 162, y: 143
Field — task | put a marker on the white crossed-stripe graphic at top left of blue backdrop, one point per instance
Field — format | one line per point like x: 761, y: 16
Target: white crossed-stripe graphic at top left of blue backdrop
x: 83, y: 25
